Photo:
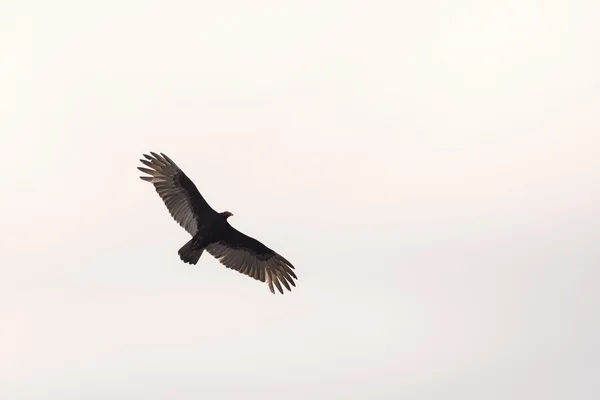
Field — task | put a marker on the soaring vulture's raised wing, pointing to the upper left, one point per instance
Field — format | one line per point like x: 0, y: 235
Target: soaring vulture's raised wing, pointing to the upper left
x: 183, y: 200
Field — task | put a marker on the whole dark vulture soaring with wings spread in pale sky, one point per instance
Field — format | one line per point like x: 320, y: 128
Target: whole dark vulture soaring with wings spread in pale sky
x: 210, y: 229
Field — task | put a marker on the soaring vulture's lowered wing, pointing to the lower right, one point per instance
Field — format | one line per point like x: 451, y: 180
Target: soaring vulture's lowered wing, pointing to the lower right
x: 250, y: 257
